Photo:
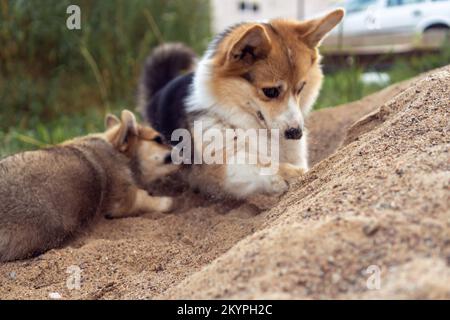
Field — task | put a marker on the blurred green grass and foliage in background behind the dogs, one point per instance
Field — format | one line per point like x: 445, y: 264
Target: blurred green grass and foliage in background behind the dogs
x: 56, y: 83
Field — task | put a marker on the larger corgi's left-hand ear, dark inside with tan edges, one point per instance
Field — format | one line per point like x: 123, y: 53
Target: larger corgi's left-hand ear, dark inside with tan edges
x: 252, y: 45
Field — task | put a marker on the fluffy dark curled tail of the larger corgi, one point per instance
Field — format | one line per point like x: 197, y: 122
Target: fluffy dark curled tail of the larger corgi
x: 164, y: 64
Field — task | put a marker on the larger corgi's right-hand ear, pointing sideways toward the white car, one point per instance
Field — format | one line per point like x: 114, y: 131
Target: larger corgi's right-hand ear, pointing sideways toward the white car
x: 314, y: 31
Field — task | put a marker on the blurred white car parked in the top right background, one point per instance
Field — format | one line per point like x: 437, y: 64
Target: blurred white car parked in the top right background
x: 381, y: 26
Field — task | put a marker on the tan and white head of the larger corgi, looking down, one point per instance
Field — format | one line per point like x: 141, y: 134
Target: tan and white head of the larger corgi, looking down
x: 270, y: 69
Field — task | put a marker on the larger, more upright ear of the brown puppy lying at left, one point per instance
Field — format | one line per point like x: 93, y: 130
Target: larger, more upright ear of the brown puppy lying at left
x: 127, y: 133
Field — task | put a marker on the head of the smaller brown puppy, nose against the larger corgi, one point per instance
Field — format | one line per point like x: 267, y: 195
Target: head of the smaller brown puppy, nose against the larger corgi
x: 151, y: 157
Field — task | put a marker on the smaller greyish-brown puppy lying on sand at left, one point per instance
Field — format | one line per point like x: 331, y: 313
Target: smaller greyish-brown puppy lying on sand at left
x: 46, y: 196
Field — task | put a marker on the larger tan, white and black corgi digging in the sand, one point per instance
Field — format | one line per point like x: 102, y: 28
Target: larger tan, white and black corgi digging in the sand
x: 253, y: 76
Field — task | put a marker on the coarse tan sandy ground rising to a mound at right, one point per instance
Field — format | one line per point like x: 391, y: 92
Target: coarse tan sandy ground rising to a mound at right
x: 380, y: 199
